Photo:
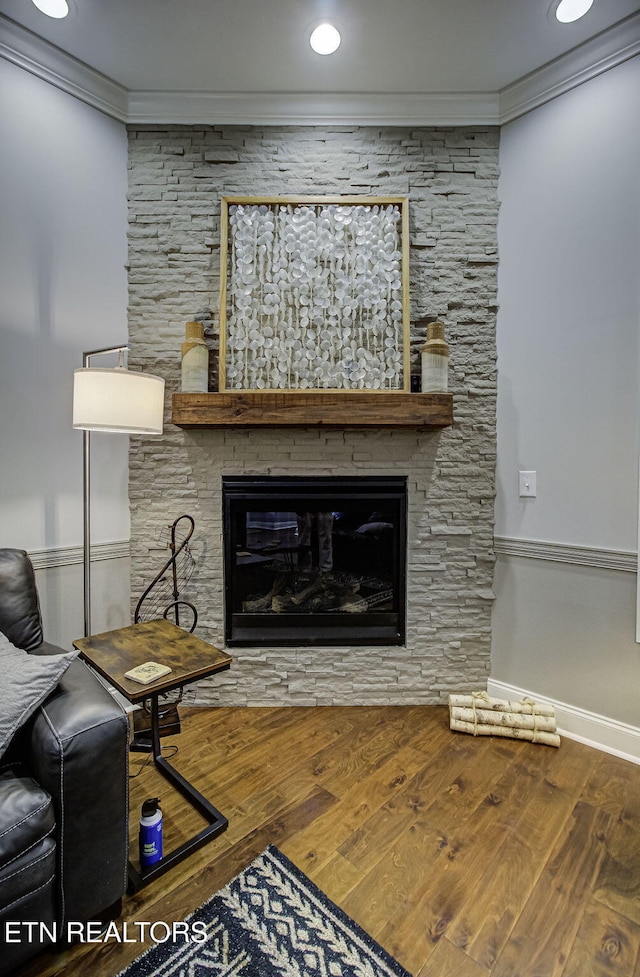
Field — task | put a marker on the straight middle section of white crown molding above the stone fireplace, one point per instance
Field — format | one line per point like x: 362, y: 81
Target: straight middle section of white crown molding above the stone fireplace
x: 311, y: 108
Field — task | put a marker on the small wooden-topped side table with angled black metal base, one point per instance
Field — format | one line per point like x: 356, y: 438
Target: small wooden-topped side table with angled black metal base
x: 112, y: 654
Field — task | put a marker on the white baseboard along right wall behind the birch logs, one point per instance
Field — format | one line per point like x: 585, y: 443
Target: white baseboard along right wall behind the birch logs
x: 608, y: 735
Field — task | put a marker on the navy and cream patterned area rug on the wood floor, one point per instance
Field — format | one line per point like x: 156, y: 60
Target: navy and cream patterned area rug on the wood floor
x: 270, y: 921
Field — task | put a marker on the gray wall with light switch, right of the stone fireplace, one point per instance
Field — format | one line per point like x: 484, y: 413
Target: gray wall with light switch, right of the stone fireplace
x: 568, y: 397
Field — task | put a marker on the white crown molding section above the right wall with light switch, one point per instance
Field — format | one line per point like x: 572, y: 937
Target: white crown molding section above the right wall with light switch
x: 608, y: 49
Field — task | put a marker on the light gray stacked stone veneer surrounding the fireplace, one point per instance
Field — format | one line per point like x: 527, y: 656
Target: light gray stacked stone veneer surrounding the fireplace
x: 177, y: 176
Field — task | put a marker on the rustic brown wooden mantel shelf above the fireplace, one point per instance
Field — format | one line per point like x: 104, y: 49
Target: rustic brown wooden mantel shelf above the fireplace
x: 336, y: 409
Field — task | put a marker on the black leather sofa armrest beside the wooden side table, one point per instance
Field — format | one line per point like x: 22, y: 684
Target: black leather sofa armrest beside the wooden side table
x: 78, y: 752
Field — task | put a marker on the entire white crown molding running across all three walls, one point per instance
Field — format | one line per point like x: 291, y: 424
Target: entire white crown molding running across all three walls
x: 610, y: 48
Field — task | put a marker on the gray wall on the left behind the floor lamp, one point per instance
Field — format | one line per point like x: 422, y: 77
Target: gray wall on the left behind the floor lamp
x: 63, y: 287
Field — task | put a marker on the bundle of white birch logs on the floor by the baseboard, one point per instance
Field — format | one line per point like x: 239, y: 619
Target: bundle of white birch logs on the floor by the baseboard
x: 482, y: 716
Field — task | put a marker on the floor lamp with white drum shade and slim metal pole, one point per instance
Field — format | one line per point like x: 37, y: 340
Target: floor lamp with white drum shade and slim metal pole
x: 115, y: 399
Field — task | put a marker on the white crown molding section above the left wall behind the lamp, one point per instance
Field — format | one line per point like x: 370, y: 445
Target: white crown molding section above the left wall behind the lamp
x: 26, y: 50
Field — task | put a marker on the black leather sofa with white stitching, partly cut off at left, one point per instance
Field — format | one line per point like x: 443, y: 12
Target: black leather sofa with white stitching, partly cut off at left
x: 63, y: 793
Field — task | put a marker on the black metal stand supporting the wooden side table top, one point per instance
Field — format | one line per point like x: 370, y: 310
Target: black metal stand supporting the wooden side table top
x: 138, y: 878
